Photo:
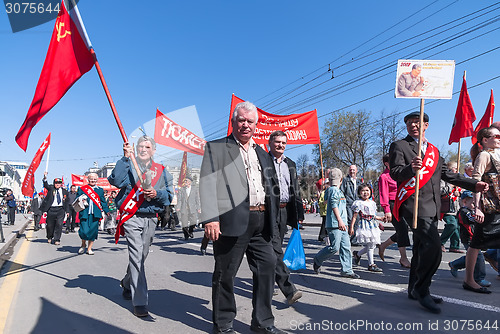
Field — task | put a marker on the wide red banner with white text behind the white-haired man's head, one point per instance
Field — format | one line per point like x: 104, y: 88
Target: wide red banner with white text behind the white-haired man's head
x: 299, y: 128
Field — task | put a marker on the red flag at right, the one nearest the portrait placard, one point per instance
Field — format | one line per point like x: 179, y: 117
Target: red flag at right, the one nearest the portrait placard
x: 464, y: 117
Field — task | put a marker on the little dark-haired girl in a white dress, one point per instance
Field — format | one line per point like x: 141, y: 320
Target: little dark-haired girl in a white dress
x: 367, y: 231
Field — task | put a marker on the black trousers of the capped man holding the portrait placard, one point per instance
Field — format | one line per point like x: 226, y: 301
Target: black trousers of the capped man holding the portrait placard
x: 426, y: 254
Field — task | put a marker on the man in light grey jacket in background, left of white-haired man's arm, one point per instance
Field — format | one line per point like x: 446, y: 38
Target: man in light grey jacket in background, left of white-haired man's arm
x: 188, y: 206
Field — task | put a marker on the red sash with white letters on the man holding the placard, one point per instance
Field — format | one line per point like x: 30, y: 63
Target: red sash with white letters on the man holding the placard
x: 407, y: 188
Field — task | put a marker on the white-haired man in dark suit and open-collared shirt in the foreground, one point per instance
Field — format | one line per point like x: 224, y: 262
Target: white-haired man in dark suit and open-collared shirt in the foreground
x: 239, y: 204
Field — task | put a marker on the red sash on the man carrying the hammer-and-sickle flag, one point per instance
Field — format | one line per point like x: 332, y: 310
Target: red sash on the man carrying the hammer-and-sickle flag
x: 134, y: 200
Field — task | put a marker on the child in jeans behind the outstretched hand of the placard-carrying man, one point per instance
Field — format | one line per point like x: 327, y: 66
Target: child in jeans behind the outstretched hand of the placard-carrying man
x: 466, y: 221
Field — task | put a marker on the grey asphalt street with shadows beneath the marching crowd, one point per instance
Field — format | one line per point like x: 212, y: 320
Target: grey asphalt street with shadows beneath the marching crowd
x: 50, y: 289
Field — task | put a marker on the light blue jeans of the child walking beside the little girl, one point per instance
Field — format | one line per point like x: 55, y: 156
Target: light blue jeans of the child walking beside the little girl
x: 339, y: 242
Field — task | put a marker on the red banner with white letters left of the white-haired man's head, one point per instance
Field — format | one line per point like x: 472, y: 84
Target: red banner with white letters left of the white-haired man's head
x: 171, y: 134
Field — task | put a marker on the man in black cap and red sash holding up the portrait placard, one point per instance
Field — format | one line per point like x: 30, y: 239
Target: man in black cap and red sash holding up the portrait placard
x: 404, y: 162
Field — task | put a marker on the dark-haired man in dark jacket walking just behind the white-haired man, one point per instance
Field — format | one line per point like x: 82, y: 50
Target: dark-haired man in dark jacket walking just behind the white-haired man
x: 291, y: 211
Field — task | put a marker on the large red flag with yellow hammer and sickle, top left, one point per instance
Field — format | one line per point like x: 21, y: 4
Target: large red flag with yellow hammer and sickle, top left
x: 68, y: 58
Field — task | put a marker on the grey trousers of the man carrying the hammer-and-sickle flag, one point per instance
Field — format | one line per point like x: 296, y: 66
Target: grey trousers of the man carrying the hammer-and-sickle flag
x: 139, y: 233
